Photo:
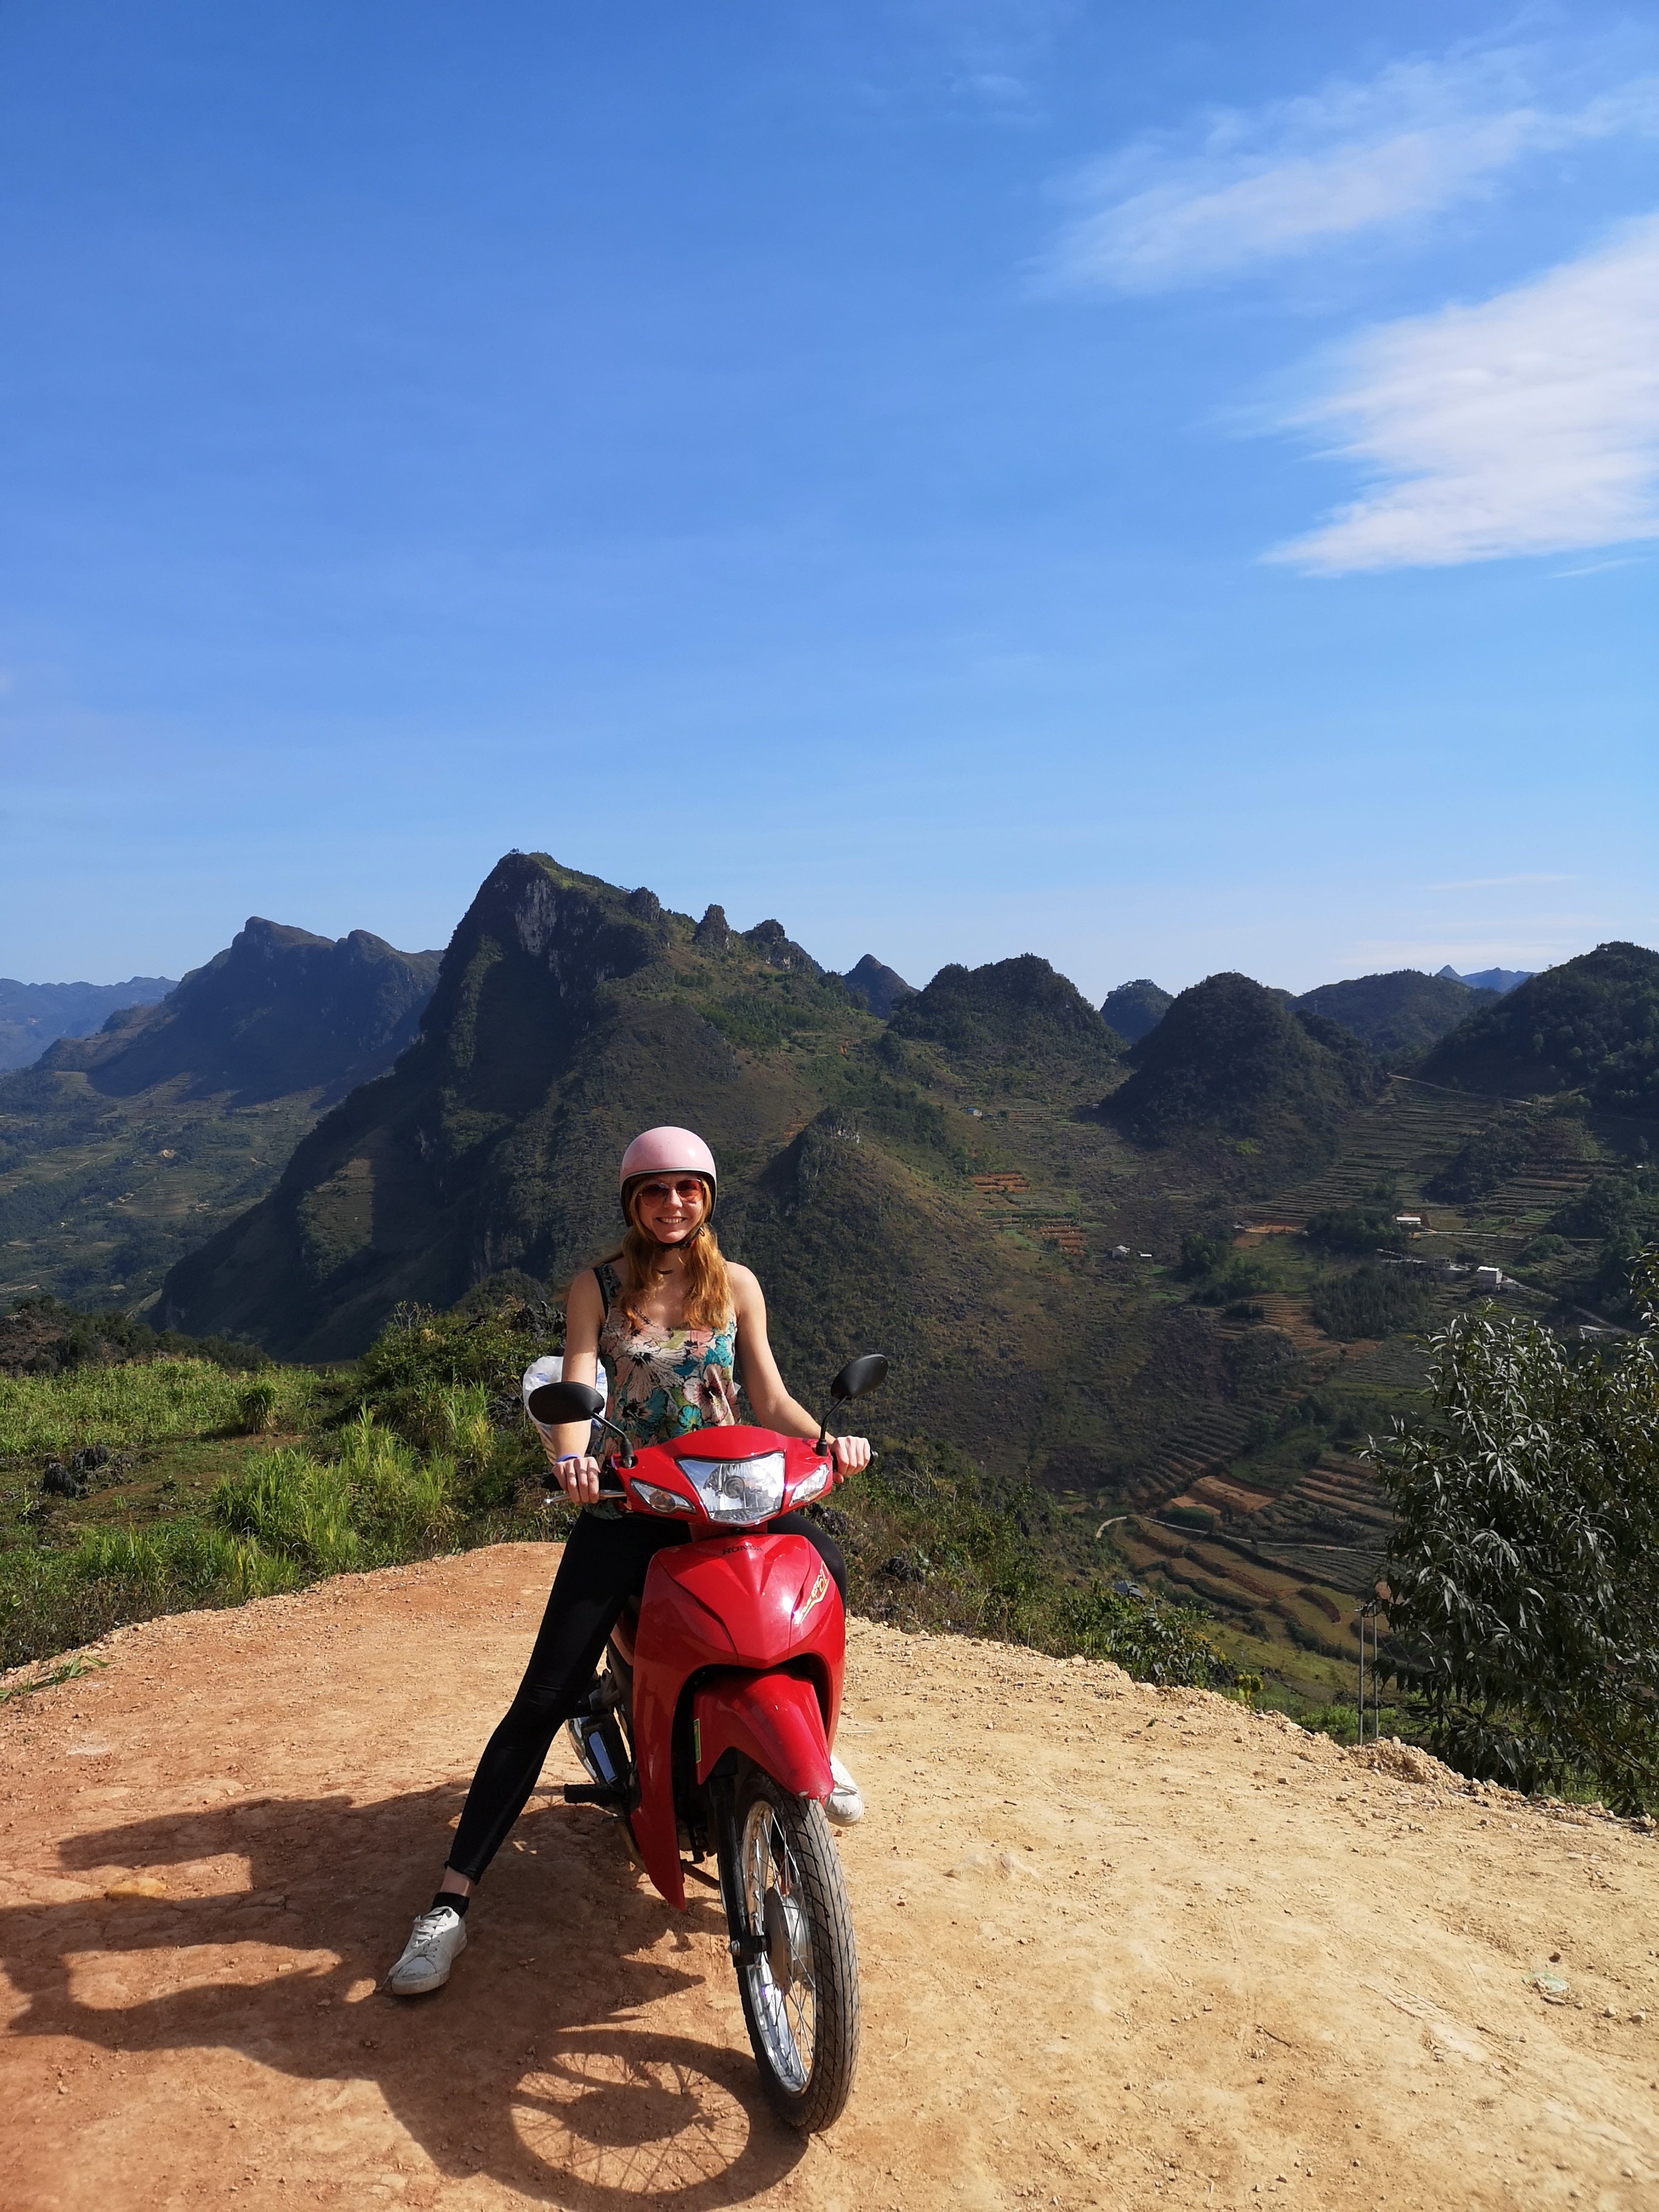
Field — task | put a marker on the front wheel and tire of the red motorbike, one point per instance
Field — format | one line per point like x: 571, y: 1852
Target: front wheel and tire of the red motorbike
x: 808, y: 1923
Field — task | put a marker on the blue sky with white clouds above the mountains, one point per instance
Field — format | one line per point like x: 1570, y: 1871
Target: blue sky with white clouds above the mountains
x: 1158, y: 488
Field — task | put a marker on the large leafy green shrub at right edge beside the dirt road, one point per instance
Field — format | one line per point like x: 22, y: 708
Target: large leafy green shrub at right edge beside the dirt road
x: 1525, y: 1556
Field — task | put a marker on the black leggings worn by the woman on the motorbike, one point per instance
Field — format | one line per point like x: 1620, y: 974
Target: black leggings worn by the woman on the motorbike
x: 605, y: 1565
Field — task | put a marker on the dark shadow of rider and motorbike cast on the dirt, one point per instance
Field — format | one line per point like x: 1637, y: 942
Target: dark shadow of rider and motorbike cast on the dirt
x: 556, y: 2063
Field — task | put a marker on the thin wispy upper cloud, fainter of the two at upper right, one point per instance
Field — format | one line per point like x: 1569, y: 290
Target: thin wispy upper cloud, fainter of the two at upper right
x: 1300, y: 174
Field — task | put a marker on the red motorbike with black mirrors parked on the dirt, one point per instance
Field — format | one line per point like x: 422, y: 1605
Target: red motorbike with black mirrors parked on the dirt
x: 713, y: 1718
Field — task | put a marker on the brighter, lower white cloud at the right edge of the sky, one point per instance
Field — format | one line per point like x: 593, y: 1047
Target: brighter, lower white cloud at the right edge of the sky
x: 1527, y: 424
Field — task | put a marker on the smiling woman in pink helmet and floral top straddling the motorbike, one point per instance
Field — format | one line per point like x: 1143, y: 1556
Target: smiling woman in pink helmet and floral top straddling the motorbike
x: 676, y: 1326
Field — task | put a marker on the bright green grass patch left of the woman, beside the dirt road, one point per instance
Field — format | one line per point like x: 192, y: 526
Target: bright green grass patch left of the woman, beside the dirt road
x: 198, y: 1510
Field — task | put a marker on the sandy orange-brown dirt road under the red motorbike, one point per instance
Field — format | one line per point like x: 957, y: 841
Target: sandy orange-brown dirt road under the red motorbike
x: 1118, y: 1948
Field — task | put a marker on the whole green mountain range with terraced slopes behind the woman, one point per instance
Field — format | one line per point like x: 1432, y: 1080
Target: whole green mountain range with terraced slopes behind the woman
x: 1072, y: 1246
